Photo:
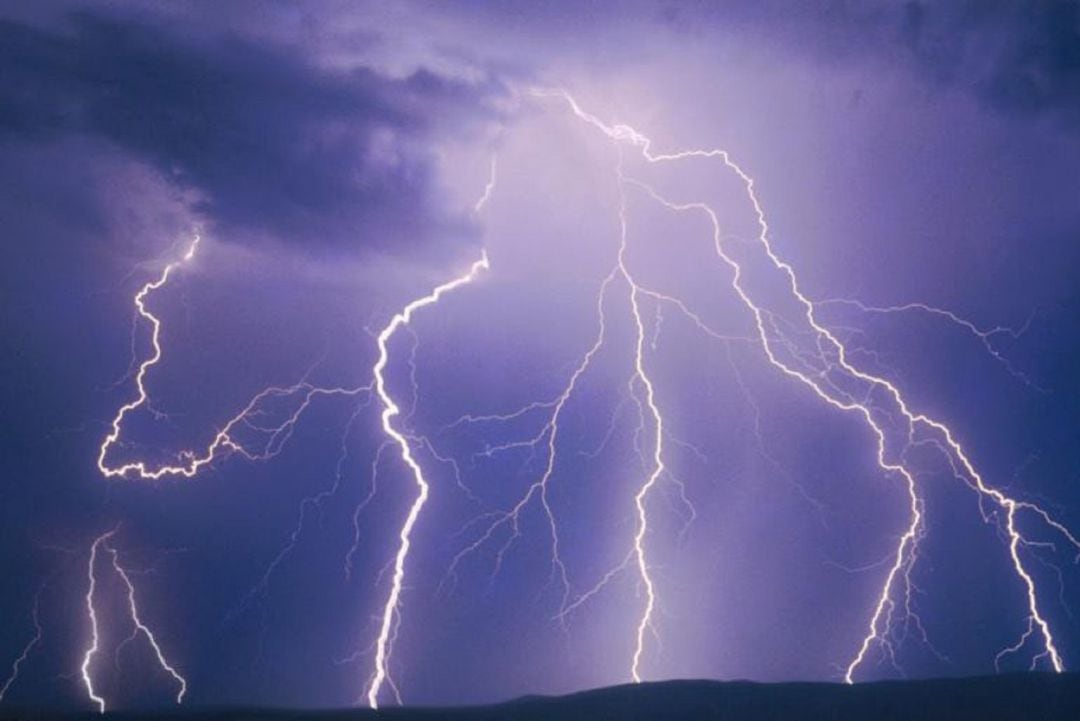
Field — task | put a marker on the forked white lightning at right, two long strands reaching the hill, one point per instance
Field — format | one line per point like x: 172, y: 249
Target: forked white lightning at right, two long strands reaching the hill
x: 834, y: 355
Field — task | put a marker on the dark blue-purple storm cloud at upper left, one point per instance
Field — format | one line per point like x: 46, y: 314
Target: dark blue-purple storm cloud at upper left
x: 272, y: 145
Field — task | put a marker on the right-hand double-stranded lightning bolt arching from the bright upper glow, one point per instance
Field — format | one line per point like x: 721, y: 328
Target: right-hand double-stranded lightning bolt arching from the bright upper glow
x: 833, y: 360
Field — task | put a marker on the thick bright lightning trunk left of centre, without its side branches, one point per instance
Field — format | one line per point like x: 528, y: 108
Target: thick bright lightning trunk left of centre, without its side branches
x: 390, y: 410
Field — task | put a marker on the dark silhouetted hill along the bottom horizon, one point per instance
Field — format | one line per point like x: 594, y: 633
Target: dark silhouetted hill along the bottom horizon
x: 1012, y: 698
